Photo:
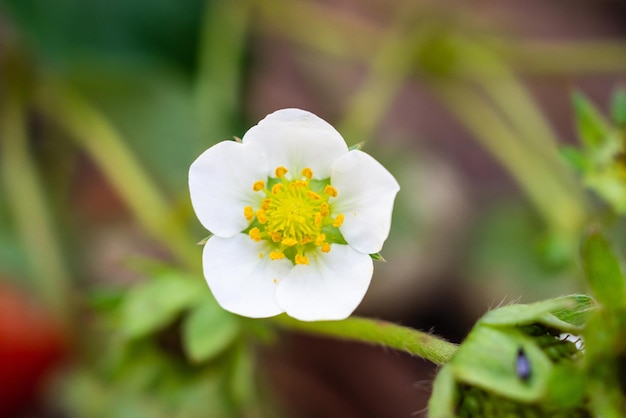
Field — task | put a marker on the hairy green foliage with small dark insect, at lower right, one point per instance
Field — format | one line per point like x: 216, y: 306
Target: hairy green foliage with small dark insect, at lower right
x: 514, y: 361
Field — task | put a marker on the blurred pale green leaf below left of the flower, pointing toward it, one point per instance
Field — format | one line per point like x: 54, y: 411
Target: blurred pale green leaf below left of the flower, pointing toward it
x: 154, y: 304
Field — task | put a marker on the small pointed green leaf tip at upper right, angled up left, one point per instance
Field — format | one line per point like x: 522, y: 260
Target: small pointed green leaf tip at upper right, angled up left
x: 593, y: 129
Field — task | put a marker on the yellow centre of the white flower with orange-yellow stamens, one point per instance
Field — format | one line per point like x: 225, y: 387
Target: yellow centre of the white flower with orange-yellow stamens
x: 295, y: 216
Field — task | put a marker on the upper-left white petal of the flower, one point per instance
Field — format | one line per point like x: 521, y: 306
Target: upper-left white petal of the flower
x: 220, y: 184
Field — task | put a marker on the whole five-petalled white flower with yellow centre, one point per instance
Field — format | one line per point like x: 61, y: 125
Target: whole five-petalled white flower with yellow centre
x: 294, y: 216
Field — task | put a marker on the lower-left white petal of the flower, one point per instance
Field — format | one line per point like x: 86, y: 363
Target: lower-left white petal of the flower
x: 241, y: 281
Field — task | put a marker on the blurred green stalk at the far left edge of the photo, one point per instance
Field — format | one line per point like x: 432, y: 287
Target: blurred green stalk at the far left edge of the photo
x: 27, y: 202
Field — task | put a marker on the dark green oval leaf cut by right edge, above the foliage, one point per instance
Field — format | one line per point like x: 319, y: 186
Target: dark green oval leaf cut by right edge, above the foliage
x: 603, y: 271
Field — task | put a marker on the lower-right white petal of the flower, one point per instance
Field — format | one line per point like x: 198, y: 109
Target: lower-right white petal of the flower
x: 330, y: 288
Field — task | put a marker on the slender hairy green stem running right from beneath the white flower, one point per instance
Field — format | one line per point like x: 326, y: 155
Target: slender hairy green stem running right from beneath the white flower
x: 386, y: 334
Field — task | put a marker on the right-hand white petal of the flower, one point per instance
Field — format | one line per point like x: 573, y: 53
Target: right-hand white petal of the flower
x: 366, y: 191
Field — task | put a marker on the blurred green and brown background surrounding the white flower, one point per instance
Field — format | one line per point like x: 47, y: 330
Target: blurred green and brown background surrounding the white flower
x: 105, y: 104
